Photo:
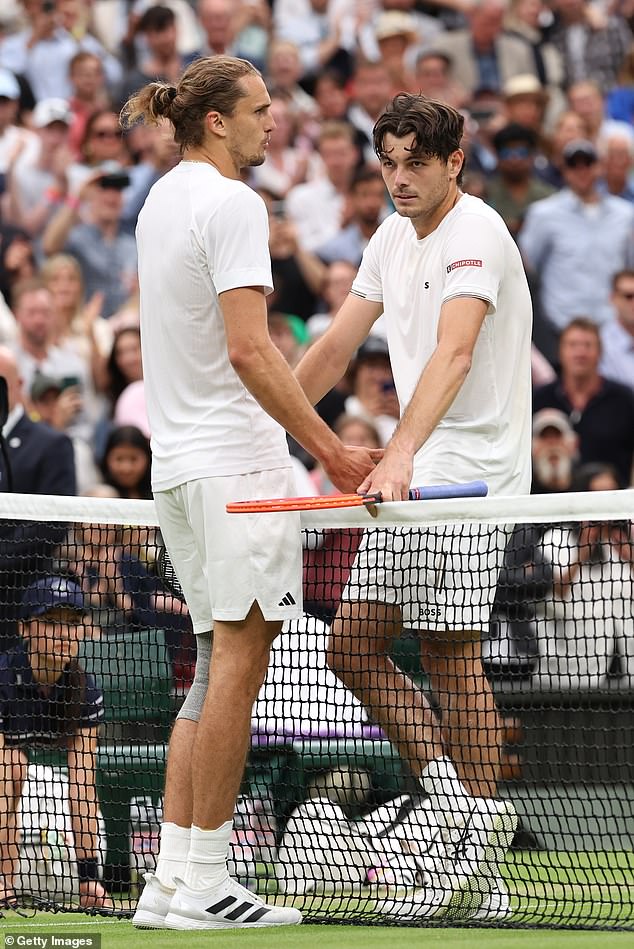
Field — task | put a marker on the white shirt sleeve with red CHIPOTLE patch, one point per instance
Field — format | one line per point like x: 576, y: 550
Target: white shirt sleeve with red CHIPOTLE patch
x: 473, y: 260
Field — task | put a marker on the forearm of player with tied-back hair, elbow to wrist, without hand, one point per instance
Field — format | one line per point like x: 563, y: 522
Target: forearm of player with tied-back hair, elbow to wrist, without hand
x: 269, y: 378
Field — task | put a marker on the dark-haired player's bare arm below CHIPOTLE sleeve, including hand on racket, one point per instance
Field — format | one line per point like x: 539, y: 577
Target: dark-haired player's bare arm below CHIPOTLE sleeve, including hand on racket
x: 460, y: 323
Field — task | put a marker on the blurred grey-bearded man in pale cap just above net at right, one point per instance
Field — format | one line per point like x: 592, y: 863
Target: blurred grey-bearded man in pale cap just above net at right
x: 555, y: 452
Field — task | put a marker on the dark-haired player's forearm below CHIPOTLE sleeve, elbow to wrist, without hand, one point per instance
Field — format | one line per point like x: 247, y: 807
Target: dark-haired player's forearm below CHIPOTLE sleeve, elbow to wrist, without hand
x: 437, y: 388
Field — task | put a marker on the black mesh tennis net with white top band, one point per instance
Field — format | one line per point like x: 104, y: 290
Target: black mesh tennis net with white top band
x: 330, y: 816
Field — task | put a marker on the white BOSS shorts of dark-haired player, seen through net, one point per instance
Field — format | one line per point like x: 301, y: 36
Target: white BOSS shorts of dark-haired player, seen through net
x: 441, y: 577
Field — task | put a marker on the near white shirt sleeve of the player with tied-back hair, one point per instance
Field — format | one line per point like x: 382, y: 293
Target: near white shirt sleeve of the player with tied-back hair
x: 236, y: 240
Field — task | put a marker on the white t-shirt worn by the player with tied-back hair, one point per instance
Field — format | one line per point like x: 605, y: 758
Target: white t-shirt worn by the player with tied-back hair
x: 200, y: 234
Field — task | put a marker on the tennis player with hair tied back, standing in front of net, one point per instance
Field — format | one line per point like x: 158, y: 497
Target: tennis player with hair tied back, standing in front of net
x: 219, y: 396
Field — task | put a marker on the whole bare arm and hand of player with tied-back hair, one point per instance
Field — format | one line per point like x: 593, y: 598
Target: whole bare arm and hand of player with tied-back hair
x: 268, y: 377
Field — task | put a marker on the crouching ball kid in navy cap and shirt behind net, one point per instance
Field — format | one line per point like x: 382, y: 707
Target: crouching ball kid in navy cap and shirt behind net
x: 47, y: 698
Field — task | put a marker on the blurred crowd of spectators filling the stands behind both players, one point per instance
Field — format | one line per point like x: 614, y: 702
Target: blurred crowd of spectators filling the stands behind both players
x: 547, y: 91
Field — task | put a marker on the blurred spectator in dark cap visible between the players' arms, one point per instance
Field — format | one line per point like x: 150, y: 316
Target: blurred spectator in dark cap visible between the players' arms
x: 373, y: 393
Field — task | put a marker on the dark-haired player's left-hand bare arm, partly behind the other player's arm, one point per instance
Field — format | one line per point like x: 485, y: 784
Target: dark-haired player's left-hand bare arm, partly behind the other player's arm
x: 327, y: 359
